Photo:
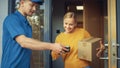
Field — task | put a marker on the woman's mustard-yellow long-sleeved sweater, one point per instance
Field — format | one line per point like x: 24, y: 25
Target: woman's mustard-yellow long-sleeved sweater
x: 71, y: 59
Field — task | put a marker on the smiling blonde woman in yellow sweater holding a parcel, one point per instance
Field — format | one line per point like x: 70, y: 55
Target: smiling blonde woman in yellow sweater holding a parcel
x: 71, y: 36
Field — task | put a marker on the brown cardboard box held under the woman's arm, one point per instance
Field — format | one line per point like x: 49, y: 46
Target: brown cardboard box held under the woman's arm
x: 87, y: 49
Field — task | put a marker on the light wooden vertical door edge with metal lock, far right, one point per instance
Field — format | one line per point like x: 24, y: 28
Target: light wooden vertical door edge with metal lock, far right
x: 112, y: 46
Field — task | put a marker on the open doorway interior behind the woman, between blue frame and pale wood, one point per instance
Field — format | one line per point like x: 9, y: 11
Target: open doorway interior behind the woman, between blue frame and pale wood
x: 93, y: 17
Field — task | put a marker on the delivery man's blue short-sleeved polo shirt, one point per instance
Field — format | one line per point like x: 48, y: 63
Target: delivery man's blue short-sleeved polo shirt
x: 14, y: 56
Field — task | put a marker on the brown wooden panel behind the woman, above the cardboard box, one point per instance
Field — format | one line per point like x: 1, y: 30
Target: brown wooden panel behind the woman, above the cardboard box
x: 93, y: 22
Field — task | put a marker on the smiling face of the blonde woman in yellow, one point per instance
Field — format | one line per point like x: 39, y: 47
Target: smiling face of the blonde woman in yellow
x: 69, y: 25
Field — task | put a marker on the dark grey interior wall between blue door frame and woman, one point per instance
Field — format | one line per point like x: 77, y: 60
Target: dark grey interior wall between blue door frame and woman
x: 57, y: 26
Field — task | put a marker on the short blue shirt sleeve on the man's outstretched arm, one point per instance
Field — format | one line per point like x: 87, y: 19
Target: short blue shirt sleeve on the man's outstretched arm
x: 12, y: 23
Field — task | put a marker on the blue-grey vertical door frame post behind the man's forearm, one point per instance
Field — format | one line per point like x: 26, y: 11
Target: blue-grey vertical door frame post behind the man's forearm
x: 47, y: 31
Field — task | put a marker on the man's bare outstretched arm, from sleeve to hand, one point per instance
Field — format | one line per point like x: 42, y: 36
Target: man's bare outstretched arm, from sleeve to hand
x: 33, y: 44
